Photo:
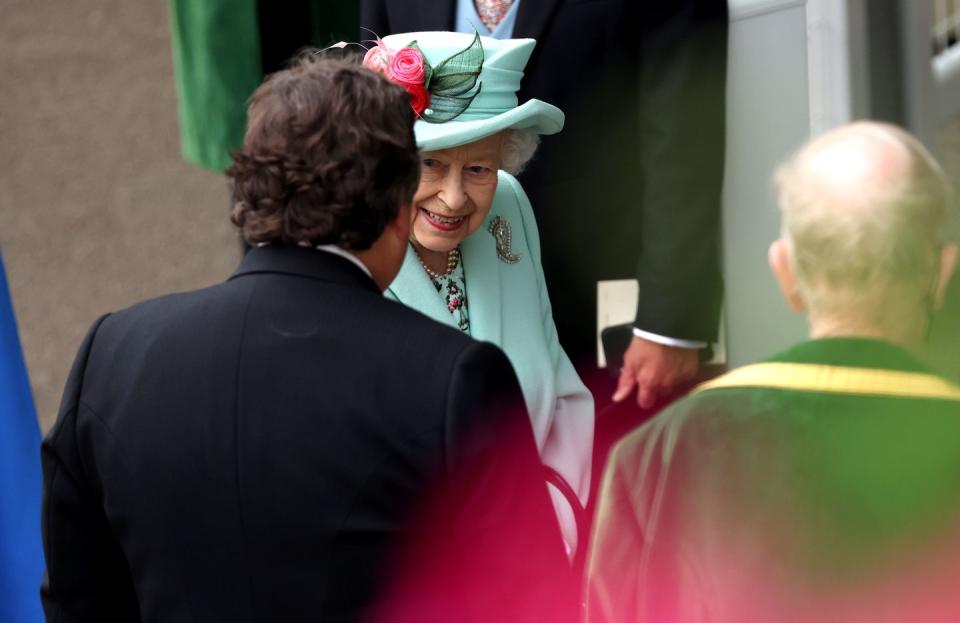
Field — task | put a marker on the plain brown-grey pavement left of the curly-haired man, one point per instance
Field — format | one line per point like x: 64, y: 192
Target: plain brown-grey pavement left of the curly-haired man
x: 98, y: 208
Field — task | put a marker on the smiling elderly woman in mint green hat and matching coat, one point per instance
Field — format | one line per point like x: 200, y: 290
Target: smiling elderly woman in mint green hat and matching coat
x: 474, y: 255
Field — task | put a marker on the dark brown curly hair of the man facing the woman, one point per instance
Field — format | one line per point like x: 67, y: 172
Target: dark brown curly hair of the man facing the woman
x: 328, y: 158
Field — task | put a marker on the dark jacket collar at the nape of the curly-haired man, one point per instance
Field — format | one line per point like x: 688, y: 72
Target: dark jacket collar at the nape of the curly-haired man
x: 303, y: 262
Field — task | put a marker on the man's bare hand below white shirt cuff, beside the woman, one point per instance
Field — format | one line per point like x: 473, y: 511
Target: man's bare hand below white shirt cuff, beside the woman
x: 655, y: 370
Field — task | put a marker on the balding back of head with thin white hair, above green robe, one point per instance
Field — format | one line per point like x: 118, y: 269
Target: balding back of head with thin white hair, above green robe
x: 864, y: 208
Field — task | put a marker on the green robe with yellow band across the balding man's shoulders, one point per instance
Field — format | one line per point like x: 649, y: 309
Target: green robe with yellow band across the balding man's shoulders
x: 774, y: 501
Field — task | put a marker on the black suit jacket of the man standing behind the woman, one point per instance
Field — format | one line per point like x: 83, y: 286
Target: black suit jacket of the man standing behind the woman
x: 631, y: 187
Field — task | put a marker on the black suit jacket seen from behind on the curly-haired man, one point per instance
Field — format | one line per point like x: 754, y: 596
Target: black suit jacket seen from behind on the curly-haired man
x: 289, y: 446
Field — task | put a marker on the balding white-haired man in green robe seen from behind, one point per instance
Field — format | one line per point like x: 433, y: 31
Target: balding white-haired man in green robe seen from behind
x: 824, y: 483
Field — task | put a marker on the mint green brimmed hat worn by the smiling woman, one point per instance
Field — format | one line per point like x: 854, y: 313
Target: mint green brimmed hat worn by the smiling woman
x: 491, y: 103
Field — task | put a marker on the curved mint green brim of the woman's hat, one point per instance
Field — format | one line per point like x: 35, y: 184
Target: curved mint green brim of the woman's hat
x: 535, y: 115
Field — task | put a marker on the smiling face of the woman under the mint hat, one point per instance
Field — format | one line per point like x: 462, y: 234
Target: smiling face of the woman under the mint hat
x: 456, y: 191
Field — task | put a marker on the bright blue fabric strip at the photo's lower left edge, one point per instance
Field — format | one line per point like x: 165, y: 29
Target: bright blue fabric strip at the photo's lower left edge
x: 21, y: 552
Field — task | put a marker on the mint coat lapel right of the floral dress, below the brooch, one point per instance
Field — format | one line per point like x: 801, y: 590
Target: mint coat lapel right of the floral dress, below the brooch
x: 482, y: 274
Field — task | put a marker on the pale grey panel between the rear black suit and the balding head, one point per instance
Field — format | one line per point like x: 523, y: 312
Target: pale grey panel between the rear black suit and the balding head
x: 768, y: 116
